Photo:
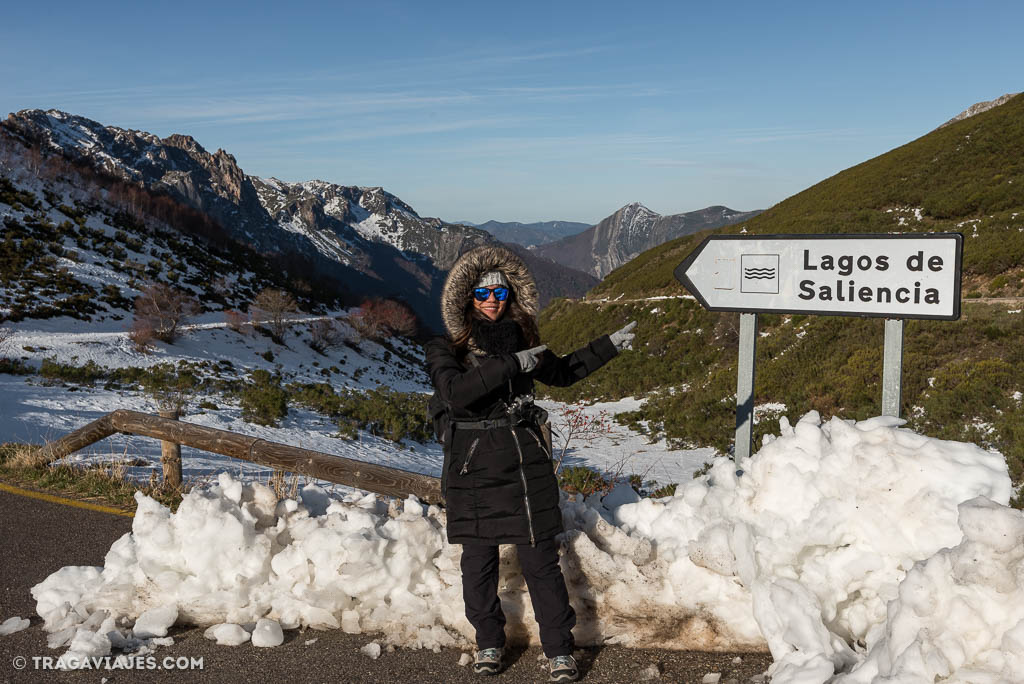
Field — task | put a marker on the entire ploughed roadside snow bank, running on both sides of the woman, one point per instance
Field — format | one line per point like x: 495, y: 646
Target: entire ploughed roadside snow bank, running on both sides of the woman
x: 804, y: 547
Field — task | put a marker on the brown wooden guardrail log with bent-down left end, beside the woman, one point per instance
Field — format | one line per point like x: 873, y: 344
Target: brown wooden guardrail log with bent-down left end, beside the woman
x: 370, y: 477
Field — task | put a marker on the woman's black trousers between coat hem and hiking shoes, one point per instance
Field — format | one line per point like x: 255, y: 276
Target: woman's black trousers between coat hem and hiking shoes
x: 547, y: 593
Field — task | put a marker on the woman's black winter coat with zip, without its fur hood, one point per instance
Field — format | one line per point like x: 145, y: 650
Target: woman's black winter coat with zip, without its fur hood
x: 499, y: 484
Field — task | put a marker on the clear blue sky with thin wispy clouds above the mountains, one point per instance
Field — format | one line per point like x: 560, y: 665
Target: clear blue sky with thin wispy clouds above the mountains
x: 524, y: 111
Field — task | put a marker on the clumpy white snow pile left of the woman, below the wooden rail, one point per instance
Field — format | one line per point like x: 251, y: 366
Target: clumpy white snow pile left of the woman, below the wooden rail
x: 234, y: 555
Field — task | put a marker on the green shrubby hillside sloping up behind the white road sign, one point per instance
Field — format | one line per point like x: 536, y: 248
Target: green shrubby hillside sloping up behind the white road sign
x: 962, y: 379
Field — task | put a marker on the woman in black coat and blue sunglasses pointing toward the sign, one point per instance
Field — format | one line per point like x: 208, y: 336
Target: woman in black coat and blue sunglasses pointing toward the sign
x: 498, y: 478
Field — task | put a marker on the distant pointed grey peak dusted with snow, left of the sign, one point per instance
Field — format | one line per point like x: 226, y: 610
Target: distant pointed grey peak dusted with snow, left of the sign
x: 632, y: 230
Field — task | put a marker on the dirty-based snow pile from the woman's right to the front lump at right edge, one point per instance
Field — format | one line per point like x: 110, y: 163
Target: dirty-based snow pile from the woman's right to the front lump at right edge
x: 804, y: 544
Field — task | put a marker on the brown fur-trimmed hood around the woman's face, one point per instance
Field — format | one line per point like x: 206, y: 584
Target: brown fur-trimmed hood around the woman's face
x: 467, y: 271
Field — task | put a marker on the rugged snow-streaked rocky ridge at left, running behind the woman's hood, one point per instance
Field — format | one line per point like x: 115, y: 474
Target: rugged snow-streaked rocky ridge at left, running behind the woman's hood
x: 364, y: 237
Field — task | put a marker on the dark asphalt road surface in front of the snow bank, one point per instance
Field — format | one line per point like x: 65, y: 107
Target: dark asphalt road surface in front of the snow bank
x: 39, y: 538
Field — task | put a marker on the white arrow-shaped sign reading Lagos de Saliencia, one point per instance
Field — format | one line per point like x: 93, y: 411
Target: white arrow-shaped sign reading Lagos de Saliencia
x: 911, y: 276
